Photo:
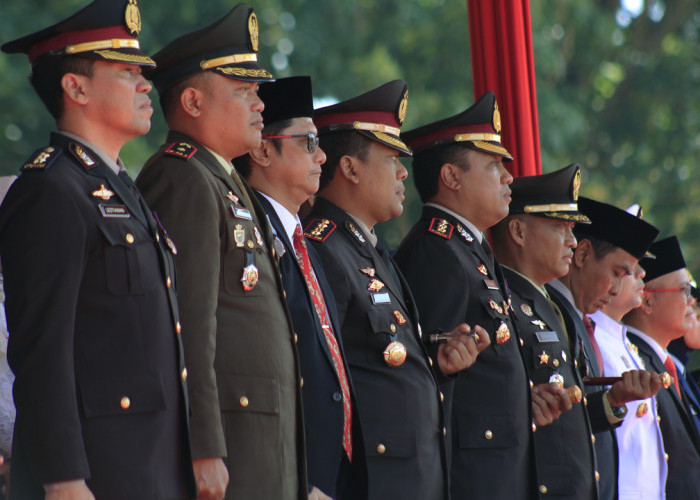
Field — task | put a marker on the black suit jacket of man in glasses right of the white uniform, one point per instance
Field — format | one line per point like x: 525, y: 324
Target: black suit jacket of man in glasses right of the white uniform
x: 678, y: 430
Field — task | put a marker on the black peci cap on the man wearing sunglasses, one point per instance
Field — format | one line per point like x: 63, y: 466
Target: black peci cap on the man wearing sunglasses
x: 287, y: 98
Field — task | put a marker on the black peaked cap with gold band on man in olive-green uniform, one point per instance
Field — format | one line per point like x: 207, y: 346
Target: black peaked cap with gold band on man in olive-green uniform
x: 229, y: 47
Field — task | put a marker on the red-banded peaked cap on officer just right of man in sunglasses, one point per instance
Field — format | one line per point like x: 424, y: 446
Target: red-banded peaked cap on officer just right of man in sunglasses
x: 377, y: 114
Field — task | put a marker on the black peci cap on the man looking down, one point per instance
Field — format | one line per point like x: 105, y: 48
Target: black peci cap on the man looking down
x: 616, y: 226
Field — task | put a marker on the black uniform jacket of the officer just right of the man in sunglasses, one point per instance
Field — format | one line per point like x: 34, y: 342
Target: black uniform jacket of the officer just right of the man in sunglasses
x: 399, y: 406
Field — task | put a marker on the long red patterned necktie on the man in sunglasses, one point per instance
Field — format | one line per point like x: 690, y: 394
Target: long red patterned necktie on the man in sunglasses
x: 320, y: 306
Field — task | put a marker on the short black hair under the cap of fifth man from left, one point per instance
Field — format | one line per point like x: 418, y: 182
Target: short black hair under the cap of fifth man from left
x: 427, y: 165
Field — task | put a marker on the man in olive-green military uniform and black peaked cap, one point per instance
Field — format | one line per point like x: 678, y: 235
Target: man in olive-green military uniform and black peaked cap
x: 245, y: 388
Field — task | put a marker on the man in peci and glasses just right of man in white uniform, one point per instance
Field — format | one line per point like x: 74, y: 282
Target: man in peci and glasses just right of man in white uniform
x: 666, y: 313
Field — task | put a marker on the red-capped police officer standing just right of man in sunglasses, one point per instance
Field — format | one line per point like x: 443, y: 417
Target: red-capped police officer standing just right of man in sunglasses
x: 397, y: 392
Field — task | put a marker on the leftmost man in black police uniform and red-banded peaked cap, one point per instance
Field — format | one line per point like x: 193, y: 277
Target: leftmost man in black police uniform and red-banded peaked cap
x: 100, y: 380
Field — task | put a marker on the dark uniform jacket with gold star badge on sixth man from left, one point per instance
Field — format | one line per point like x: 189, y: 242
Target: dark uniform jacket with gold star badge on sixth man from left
x: 564, y: 449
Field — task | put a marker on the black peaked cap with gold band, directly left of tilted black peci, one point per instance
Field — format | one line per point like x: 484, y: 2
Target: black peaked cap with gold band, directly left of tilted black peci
x: 553, y: 195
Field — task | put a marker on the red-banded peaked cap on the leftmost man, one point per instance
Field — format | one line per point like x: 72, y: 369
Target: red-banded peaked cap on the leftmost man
x: 105, y: 30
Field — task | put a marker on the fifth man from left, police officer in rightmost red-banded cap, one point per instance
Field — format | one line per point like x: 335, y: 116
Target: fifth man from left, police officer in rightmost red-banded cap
x: 459, y: 173
